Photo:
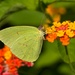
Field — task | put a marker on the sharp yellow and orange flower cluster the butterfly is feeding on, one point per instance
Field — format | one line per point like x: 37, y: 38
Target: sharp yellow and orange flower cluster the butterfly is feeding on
x: 62, y: 31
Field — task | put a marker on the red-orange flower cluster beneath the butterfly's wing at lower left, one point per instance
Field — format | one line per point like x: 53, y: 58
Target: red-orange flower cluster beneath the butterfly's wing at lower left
x: 9, y: 63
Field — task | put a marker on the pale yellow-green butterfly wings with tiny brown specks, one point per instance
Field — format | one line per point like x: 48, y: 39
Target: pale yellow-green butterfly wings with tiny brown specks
x: 25, y: 42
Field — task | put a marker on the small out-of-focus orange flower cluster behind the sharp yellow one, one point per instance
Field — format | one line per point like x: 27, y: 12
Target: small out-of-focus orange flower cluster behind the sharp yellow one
x: 55, y: 12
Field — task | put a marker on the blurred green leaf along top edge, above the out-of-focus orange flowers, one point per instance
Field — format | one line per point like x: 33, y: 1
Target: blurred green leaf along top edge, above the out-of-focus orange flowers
x: 61, y: 3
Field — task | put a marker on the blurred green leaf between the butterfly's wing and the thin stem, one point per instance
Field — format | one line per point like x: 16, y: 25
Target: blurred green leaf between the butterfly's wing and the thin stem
x: 49, y: 56
